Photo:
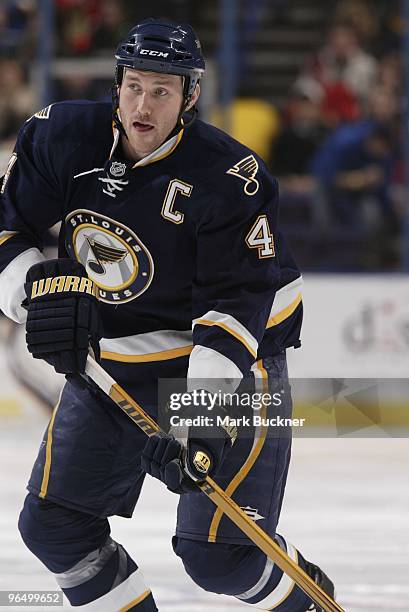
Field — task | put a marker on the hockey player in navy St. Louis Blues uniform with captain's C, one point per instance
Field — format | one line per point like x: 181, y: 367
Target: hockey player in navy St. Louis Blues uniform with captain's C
x: 168, y: 226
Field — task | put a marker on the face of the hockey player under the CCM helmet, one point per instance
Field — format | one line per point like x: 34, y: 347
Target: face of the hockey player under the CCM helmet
x: 149, y: 105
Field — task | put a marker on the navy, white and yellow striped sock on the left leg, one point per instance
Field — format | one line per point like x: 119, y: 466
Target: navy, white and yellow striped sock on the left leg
x: 95, y: 572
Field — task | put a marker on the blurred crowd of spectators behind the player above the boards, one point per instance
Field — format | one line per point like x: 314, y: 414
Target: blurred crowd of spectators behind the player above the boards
x: 319, y: 96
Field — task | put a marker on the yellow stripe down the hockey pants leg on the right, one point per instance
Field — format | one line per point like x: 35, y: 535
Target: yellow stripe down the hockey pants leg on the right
x: 251, y: 459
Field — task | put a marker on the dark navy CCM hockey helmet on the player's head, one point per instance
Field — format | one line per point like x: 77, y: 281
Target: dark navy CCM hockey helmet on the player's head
x: 162, y: 46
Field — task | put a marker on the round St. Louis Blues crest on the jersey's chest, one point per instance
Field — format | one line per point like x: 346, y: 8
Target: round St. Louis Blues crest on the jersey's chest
x: 114, y: 257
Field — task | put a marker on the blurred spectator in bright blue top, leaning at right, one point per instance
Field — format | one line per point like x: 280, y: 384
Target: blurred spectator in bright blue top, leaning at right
x: 355, y: 166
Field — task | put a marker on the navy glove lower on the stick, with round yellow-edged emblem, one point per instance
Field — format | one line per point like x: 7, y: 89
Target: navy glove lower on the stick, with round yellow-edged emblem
x: 180, y: 465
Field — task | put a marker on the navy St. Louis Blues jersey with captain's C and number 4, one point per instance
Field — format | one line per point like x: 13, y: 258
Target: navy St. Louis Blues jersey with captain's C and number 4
x: 184, y: 245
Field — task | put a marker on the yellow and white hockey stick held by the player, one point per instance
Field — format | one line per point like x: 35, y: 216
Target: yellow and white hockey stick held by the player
x: 215, y: 493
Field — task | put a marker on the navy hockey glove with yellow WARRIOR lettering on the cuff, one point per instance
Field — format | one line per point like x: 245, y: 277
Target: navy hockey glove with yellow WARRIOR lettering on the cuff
x: 63, y: 320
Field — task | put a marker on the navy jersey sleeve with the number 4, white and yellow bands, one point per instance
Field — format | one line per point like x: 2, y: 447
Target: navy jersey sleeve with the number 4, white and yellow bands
x: 237, y: 276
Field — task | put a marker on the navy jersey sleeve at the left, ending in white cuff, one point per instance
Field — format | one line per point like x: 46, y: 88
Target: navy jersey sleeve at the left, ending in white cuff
x: 30, y: 203
